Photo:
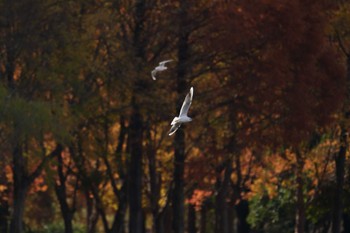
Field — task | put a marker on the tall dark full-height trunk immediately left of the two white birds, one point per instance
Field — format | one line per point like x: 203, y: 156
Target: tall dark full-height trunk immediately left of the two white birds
x: 136, y: 129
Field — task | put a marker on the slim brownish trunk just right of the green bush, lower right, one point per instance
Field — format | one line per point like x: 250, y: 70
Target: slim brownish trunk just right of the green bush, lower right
x: 300, y: 205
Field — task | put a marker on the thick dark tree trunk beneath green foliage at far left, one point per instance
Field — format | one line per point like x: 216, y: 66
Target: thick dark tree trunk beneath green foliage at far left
x: 20, y: 188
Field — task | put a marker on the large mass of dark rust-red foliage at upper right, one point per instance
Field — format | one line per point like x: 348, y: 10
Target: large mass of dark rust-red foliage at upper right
x: 281, y: 64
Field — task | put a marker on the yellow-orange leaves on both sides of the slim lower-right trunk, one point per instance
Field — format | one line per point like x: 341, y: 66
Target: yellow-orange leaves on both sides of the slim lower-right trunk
x: 277, y: 171
